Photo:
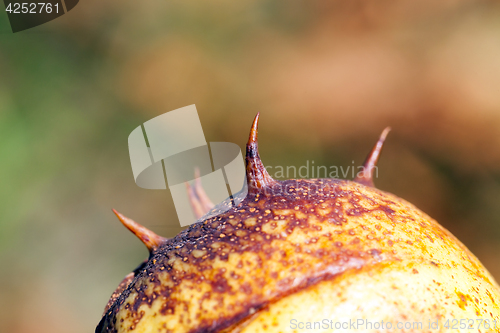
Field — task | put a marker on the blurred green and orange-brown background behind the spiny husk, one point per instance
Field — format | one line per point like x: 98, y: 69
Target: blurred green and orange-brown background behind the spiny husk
x: 327, y: 77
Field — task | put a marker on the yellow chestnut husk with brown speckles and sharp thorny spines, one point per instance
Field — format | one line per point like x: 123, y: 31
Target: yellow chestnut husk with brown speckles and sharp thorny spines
x: 301, y: 251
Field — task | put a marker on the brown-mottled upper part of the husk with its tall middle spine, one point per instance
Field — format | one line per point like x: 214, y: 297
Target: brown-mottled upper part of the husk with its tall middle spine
x: 283, y: 237
